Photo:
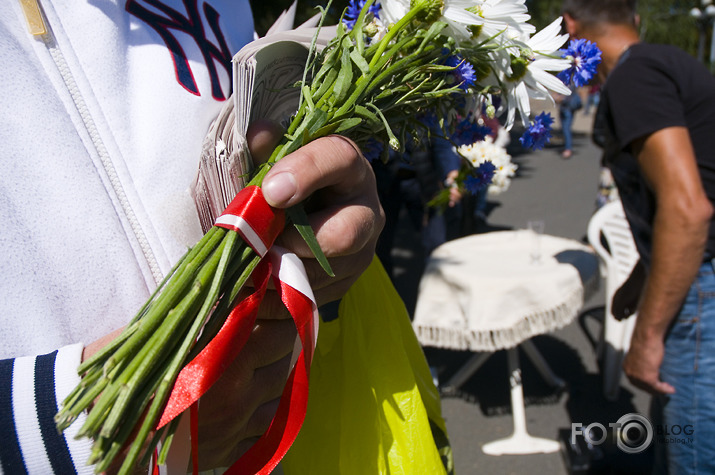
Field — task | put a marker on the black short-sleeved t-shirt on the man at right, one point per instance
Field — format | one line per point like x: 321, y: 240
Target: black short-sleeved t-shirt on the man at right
x: 654, y: 87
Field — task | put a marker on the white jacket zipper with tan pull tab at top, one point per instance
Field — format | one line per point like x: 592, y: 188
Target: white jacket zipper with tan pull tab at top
x: 38, y: 25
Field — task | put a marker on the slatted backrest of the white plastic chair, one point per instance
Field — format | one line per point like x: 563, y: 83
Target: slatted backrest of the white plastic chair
x: 609, y: 226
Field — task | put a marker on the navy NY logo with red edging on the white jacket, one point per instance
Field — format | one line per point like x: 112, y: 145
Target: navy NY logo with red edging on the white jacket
x: 163, y: 19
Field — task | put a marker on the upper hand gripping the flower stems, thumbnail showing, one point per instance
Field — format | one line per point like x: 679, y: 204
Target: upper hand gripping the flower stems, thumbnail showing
x: 344, y: 211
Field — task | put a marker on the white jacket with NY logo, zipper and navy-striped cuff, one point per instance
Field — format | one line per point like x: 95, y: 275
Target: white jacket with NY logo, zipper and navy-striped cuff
x: 101, y: 124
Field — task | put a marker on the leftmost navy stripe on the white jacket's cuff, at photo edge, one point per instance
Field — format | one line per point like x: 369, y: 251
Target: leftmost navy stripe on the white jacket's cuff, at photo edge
x: 10, y: 453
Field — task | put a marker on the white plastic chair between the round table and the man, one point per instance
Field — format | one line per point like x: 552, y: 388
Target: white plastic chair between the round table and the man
x: 609, y: 223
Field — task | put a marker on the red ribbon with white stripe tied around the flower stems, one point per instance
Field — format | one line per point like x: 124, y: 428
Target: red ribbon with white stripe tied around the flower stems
x: 196, y: 377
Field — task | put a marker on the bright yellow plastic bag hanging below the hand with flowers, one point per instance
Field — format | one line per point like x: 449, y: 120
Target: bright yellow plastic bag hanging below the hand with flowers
x: 373, y: 408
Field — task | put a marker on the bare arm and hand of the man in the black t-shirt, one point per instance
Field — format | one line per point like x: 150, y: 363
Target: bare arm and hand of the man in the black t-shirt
x: 680, y: 232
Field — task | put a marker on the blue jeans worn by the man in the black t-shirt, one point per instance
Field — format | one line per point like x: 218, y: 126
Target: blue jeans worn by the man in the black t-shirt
x: 686, y: 443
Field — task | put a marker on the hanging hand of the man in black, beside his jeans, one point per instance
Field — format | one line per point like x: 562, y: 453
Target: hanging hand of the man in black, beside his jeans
x: 642, y: 364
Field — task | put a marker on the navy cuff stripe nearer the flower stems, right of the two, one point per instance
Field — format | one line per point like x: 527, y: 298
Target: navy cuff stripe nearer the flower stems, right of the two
x: 46, y: 404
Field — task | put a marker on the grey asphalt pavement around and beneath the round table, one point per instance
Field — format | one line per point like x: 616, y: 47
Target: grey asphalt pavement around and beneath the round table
x: 561, y: 193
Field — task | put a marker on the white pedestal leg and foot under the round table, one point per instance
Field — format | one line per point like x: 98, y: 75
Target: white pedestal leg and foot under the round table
x: 520, y: 442
